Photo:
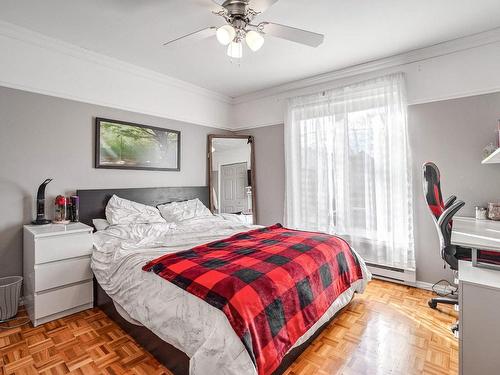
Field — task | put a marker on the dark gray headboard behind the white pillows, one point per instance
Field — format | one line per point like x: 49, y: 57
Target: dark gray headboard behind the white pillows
x: 93, y: 202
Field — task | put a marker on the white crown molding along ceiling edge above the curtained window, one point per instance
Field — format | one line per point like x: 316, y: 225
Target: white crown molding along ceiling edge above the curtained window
x: 421, y: 54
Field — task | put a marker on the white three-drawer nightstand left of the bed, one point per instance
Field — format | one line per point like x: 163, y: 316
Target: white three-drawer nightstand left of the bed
x: 57, y: 274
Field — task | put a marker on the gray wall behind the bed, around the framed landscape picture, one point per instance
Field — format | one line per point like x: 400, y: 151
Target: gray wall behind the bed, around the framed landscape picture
x: 43, y: 136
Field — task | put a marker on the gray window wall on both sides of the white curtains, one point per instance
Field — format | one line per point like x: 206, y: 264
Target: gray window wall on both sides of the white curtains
x: 451, y: 133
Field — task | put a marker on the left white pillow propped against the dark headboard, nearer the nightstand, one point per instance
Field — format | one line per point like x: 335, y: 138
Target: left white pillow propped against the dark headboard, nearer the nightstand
x: 123, y: 211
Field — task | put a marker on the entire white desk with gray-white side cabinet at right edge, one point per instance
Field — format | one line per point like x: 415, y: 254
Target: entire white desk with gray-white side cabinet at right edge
x: 479, y: 297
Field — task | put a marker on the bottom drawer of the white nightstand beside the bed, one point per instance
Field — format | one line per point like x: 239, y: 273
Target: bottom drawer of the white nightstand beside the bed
x: 63, y: 299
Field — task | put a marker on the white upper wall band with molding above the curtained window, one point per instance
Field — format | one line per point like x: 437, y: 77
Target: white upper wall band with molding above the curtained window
x: 465, y: 67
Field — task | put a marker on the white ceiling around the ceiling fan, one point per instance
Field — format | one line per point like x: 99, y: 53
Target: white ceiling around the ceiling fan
x: 356, y: 31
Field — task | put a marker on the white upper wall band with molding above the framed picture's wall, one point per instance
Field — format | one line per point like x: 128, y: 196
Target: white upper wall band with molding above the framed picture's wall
x: 33, y: 62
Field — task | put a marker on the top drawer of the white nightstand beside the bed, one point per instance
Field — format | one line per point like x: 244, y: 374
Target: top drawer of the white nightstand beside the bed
x: 49, y: 249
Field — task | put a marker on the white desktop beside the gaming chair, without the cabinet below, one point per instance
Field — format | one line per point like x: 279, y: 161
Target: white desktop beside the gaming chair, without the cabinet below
x: 478, y: 235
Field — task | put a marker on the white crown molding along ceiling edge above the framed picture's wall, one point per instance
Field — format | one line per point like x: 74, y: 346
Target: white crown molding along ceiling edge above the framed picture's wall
x: 28, y: 36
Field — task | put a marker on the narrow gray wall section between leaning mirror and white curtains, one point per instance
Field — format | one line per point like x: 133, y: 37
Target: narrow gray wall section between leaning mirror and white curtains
x: 270, y: 170
